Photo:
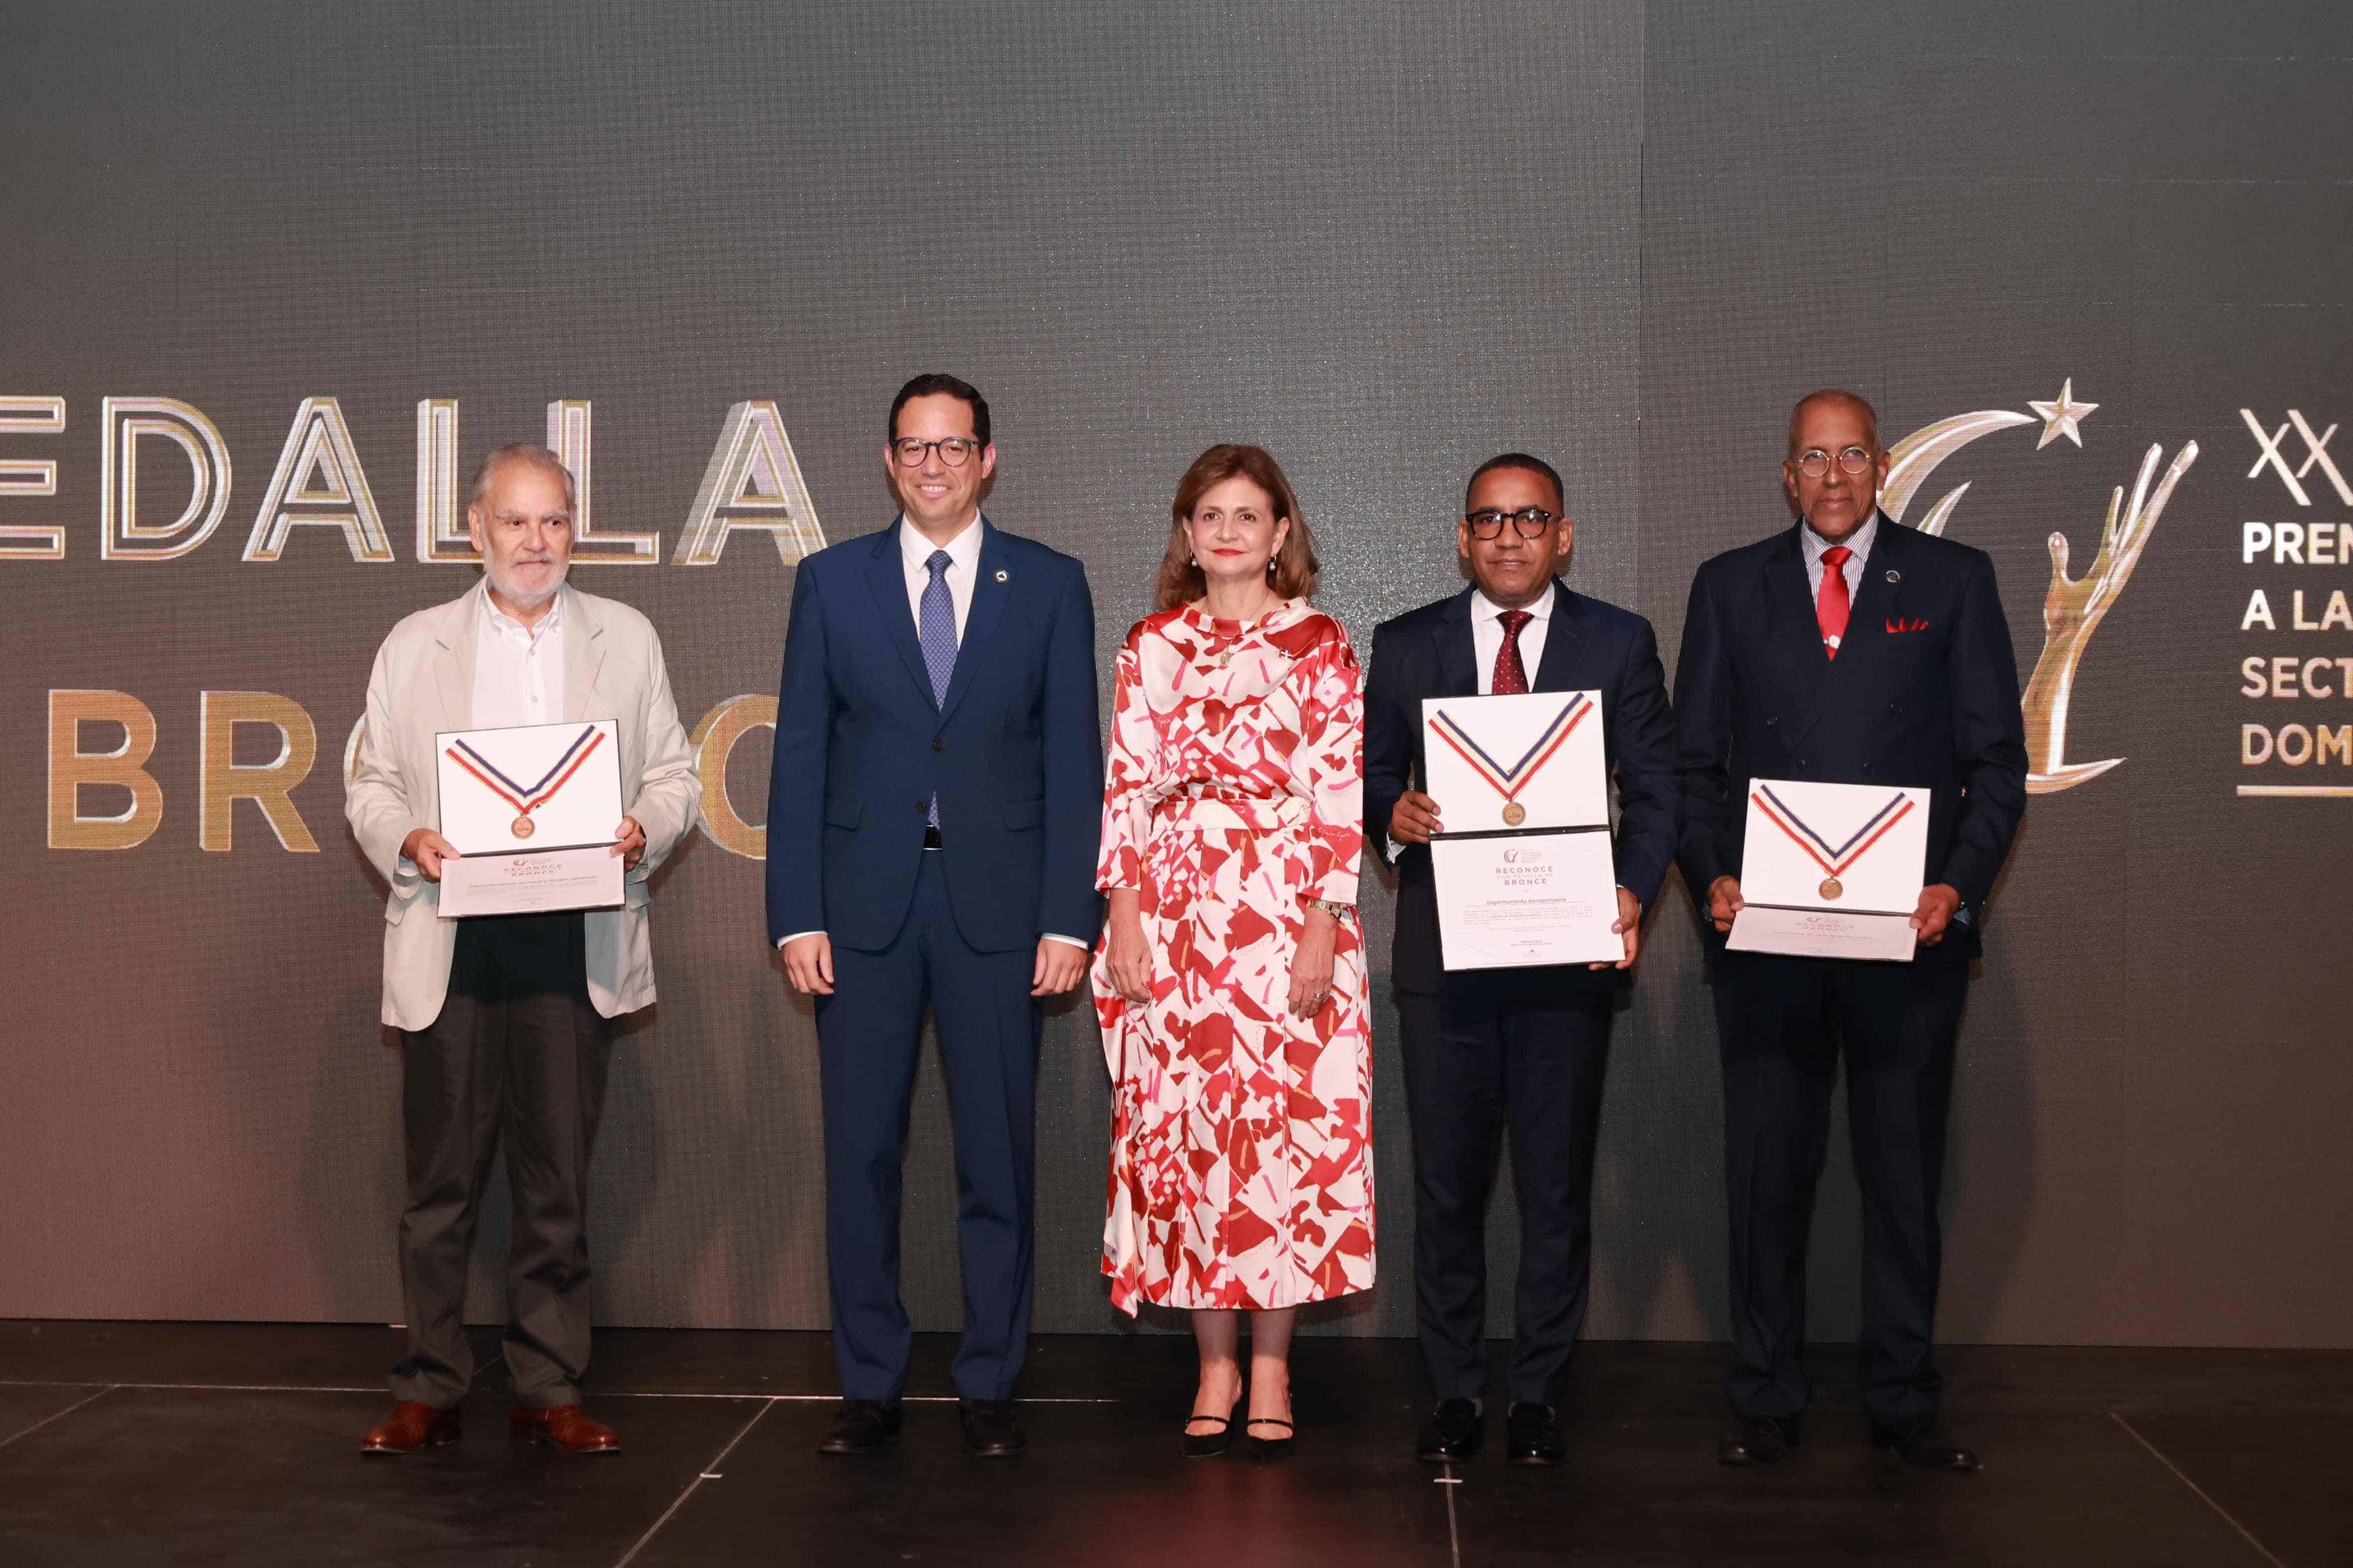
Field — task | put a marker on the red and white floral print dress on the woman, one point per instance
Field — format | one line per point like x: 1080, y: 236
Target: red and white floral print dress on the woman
x: 1241, y: 1137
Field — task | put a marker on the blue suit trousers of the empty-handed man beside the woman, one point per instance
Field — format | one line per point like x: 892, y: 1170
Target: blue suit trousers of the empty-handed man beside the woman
x: 867, y: 1038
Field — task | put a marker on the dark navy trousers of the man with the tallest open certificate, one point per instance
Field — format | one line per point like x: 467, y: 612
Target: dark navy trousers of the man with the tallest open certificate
x: 1479, y: 1059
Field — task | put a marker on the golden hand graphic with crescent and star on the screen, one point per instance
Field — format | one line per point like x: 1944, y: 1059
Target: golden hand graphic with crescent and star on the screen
x: 2072, y: 608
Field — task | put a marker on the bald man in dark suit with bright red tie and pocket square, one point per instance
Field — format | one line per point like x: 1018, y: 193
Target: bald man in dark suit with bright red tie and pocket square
x: 1844, y: 650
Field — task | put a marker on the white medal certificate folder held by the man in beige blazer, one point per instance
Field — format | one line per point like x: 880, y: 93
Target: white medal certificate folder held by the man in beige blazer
x: 531, y: 812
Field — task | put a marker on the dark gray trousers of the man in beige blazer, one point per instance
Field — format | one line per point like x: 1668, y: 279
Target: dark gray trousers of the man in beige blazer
x: 521, y: 1052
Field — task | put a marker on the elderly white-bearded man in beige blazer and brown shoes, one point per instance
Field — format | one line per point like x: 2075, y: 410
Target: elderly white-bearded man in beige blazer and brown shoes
x: 507, y: 1021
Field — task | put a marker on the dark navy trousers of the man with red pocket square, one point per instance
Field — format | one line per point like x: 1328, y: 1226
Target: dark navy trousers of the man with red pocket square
x: 1782, y: 1026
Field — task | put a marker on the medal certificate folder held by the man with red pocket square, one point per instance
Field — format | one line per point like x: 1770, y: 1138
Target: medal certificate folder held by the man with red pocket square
x: 1832, y: 871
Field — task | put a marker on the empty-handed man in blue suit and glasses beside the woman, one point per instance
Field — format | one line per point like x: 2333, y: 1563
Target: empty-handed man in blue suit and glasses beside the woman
x: 933, y: 826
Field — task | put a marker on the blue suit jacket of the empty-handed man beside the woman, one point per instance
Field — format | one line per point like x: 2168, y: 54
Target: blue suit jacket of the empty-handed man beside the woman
x: 1015, y: 751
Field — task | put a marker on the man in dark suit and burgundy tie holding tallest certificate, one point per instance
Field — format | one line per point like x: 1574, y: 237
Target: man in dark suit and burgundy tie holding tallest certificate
x: 1521, y: 1050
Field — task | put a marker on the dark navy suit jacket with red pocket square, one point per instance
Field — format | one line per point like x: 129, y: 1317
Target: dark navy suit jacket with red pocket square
x: 1924, y: 692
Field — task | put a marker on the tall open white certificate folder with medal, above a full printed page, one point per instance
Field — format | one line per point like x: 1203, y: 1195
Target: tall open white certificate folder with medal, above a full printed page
x: 1526, y: 871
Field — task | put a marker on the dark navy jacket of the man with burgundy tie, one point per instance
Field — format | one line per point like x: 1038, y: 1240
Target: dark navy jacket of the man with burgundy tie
x: 1589, y: 645
